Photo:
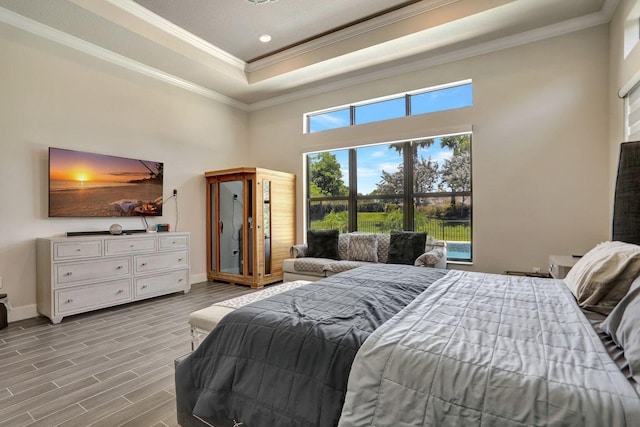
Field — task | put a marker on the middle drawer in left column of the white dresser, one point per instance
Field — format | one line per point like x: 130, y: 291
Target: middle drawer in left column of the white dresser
x: 72, y: 273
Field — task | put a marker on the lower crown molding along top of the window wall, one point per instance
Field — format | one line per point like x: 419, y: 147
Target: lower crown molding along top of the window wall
x: 594, y: 19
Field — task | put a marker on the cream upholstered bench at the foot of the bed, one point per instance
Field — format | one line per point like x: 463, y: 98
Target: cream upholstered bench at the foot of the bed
x: 203, y: 321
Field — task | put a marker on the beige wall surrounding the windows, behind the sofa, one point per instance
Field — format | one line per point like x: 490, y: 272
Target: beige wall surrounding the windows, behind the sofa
x: 540, y: 144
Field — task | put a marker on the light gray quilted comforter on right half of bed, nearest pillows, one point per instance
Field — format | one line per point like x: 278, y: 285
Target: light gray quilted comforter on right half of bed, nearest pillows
x: 488, y: 350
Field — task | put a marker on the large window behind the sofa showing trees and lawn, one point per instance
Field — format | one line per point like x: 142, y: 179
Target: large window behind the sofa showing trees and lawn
x: 420, y: 185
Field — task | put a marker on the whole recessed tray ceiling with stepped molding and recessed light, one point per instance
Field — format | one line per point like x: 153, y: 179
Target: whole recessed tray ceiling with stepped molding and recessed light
x: 210, y: 46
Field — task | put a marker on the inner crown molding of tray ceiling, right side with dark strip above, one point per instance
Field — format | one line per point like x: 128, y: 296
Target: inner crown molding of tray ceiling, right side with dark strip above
x: 347, y: 33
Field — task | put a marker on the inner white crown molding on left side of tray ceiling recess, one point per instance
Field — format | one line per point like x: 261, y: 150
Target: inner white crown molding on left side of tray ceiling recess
x: 168, y: 27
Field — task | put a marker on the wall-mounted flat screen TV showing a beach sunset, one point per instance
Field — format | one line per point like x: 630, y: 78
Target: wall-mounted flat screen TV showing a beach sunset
x: 96, y: 185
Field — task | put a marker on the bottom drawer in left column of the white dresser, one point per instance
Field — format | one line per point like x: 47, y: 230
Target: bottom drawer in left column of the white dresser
x: 90, y: 297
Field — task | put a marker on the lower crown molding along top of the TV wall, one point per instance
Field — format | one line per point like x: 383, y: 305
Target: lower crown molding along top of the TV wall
x: 72, y: 42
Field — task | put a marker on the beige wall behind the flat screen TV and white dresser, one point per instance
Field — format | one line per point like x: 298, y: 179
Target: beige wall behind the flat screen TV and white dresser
x: 50, y: 96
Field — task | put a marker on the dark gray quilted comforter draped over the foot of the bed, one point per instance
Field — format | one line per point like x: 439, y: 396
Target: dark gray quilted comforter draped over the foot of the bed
x: 284, y: 361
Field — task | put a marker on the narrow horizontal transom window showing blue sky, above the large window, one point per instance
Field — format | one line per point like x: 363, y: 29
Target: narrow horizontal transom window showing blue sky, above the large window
x: 423, y: 101
